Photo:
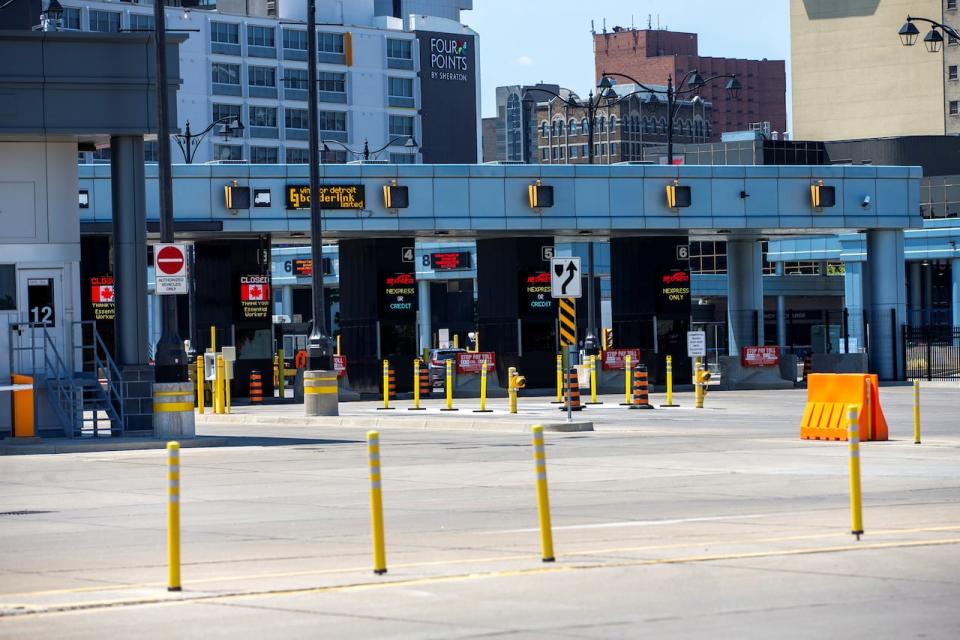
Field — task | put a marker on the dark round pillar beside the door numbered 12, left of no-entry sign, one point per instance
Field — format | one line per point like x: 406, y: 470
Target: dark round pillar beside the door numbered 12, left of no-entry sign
x: 129, y: 248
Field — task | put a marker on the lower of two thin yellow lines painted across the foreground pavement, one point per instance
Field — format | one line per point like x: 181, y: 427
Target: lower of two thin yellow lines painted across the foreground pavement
x: 187, y: 598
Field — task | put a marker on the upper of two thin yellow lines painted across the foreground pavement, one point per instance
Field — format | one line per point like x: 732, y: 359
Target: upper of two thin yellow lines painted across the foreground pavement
x: 462, y: 561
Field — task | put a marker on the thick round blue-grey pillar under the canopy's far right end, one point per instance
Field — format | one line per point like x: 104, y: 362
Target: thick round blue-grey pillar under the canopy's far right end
x: 885, y: 285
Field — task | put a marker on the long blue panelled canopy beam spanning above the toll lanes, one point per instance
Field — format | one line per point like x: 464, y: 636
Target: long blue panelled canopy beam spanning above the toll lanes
x: 472, y: 200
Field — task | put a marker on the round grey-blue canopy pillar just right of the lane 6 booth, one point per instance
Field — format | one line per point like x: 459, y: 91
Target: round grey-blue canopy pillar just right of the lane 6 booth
x: 744, y: 294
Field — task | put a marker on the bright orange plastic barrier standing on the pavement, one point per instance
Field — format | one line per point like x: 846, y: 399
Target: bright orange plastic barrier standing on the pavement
x: 829, y: 395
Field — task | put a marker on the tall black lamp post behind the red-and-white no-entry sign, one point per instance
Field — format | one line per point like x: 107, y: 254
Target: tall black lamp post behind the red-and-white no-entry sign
x: 170, y: 358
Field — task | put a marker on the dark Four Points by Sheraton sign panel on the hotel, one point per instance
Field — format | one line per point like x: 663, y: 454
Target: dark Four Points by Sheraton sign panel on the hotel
x: 448, y: 97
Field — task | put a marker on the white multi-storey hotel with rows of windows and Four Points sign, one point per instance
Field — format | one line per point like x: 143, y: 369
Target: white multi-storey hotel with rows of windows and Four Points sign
x: 247, y: 59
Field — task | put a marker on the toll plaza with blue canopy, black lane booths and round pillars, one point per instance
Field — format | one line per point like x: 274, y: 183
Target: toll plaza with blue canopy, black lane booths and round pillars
x: 382, y: 312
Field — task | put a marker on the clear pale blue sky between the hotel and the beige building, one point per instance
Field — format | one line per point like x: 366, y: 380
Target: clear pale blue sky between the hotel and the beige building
x: 526, y: 41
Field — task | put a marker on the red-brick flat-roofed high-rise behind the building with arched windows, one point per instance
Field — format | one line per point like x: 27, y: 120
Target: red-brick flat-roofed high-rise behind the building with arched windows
x: 651, y: 55
